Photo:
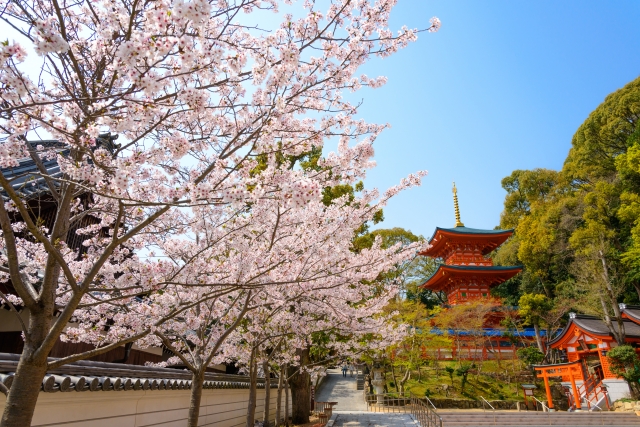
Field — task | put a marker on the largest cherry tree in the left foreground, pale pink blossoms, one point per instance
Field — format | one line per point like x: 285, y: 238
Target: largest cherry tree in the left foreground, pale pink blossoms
x: 196, y: 92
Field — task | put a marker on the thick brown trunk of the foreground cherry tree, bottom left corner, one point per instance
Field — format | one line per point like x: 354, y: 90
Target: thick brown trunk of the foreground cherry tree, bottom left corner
x: 23, y: 395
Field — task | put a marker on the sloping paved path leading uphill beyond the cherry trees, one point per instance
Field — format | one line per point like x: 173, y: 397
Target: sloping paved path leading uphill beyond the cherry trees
x: 336, y: 388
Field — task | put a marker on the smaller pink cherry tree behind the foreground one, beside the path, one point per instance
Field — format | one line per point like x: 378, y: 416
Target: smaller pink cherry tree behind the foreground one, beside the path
x: 287, y: 255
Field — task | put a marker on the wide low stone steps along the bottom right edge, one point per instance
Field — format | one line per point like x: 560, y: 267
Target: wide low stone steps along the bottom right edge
x: 524, y: 418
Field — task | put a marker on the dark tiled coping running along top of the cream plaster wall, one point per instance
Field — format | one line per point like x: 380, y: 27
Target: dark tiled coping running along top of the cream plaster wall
x: 101, y: 376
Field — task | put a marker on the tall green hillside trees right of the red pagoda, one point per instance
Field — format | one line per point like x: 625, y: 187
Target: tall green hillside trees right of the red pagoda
x: 577, y: 230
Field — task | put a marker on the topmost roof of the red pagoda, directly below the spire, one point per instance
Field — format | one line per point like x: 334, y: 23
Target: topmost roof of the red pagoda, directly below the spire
x: 442, y: 236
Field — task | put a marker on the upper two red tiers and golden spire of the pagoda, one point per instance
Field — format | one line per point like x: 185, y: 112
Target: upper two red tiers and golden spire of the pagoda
x: 466, y: 272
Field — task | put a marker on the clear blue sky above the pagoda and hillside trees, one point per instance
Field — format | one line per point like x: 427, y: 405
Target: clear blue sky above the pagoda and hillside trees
x: 502, y: 86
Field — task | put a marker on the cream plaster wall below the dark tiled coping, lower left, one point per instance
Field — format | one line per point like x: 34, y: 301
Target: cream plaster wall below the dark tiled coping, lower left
x: 166, y: 408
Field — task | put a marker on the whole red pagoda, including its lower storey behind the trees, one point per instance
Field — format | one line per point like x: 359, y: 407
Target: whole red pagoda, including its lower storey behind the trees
x: 466, y: 273
